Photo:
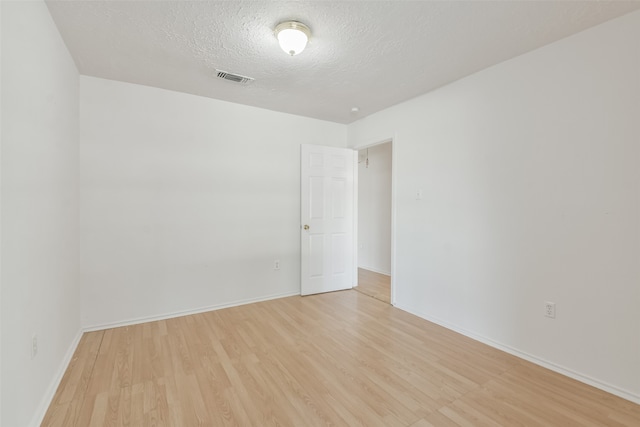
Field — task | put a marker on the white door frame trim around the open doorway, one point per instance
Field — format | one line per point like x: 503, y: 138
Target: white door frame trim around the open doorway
x: 392, y: 141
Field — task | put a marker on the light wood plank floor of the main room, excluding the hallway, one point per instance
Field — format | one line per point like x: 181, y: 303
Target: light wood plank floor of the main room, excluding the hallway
x: 341, y: 359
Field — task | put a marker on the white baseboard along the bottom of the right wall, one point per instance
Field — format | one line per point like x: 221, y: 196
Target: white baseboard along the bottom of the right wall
x: 625, y: 394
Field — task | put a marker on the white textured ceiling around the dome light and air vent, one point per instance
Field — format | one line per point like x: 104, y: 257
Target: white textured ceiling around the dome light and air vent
x: 369, y: 54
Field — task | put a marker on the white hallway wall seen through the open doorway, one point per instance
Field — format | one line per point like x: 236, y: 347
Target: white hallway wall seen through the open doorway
x: 374, y: 209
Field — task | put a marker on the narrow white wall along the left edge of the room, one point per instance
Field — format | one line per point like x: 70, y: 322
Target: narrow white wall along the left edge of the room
x: 40, y: 293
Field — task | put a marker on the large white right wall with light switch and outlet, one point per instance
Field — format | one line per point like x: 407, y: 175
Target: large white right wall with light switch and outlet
x: 530, y: 171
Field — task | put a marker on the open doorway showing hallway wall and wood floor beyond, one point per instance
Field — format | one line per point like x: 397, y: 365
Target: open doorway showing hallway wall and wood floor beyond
x: 375, y: 221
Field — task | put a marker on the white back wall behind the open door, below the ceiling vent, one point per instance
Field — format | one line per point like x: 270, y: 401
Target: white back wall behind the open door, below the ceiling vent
x: 187, y: 201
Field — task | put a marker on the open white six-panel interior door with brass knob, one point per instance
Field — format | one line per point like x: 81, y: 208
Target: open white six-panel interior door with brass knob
x: 327, y: 214
